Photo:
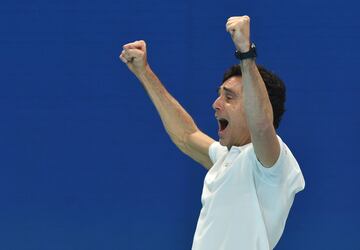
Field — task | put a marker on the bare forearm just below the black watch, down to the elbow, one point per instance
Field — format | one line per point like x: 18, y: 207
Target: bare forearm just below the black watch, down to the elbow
x: 258, y: 108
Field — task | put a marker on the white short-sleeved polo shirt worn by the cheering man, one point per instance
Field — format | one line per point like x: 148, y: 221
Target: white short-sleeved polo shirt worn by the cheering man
x: 245, y: 205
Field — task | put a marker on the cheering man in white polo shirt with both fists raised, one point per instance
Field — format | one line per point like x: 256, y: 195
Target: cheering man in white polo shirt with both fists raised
x: 253, y: 177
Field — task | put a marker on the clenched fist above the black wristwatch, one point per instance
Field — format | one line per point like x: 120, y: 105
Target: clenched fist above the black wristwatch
x: 239, y: 28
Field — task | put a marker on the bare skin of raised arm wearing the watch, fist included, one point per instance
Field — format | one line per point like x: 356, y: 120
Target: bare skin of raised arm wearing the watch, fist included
x: 259, y: 113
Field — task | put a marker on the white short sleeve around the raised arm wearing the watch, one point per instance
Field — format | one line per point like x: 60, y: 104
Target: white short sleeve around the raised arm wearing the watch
x: 286, y: 170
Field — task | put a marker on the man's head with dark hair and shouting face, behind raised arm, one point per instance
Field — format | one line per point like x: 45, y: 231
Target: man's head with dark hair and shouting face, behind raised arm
x: 233, y: 129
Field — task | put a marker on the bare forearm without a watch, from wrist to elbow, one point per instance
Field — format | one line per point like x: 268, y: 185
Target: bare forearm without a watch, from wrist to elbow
x: 177, y: 122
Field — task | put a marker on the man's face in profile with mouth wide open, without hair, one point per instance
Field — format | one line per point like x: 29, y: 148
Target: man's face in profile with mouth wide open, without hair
x: 230, y: 113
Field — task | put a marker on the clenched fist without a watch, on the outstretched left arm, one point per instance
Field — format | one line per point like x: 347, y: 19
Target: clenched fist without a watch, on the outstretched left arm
x: 134, y: 55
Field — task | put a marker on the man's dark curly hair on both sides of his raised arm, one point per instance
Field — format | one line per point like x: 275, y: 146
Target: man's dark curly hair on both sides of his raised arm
x: 275, y: 88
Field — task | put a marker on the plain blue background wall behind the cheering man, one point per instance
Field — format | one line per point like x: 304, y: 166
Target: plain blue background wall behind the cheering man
x: 84, y: 160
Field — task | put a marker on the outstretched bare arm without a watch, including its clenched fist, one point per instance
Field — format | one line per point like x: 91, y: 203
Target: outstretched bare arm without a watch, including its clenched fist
x: 178, y: 123
